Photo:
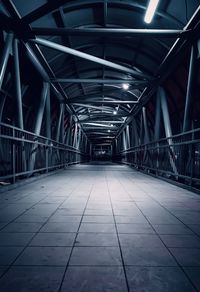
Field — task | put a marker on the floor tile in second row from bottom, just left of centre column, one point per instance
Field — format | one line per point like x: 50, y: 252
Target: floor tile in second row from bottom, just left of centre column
x: 44, y: 256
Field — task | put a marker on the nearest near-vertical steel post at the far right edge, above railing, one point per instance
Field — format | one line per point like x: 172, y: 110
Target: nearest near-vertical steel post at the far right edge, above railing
x: 190, y: 88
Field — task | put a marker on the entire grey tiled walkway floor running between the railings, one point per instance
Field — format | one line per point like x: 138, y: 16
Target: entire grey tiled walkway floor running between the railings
x: 98, y: 228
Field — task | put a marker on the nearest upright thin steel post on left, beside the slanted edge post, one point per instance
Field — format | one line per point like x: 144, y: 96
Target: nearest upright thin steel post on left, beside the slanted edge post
x: 18, y: 85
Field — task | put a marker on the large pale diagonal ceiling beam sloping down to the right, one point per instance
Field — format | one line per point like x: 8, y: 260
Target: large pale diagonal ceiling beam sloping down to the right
x: 89, y: 57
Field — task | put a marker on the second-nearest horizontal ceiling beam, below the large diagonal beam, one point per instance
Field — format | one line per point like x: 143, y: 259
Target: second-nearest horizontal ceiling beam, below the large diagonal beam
x: 135, y: 83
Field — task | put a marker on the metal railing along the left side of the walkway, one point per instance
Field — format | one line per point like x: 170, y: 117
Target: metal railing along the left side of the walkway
x: 23, y: 153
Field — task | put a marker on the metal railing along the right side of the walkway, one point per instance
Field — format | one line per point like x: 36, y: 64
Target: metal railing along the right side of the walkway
x: 176, y: 157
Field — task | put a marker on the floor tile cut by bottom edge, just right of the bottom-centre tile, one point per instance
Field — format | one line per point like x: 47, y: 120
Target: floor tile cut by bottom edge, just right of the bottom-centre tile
x: 157, y: 279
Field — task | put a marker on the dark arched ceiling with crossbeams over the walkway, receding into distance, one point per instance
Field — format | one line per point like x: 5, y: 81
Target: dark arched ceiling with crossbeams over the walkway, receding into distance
x: 93, y: 47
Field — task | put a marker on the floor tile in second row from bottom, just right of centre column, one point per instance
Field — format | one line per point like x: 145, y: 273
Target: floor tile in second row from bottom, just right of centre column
x: 147, y: 256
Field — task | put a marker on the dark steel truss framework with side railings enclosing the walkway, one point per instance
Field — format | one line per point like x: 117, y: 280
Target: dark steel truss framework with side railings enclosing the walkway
x: 132, y: 138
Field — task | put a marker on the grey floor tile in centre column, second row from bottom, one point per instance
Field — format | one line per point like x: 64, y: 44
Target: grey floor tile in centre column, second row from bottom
x: 95, y: 256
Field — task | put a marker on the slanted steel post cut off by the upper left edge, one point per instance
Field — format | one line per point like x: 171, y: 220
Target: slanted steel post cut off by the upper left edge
x: 5, y: 56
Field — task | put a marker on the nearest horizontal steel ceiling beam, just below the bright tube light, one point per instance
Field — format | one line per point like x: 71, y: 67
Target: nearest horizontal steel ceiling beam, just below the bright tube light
x: 112, y: 32
